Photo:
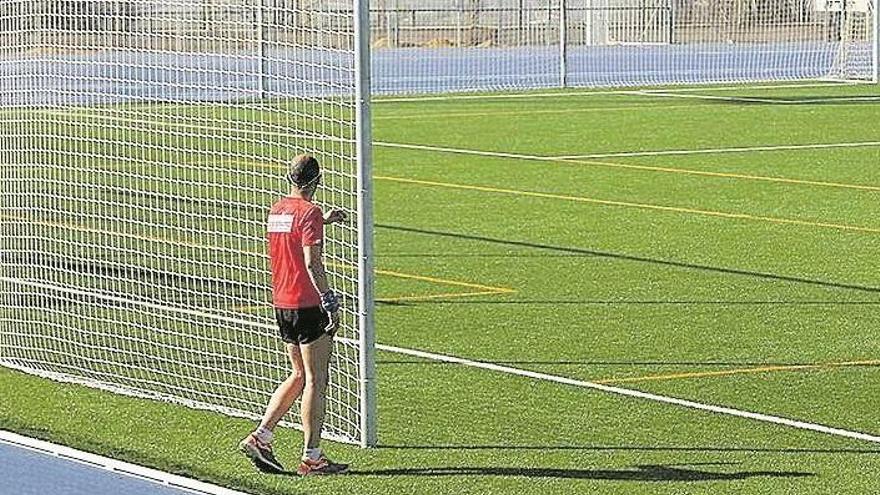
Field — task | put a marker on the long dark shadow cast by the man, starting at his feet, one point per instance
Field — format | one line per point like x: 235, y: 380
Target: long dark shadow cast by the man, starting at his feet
x: 648, y: 472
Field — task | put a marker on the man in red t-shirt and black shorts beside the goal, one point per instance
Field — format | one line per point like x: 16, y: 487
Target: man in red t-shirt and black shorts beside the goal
x: 306, y: 310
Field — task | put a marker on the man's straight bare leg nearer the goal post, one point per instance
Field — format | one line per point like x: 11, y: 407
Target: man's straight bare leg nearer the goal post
x: 316, y: 361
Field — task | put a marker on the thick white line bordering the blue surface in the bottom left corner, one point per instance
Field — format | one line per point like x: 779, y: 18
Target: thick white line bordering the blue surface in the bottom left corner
x: 117, y: 467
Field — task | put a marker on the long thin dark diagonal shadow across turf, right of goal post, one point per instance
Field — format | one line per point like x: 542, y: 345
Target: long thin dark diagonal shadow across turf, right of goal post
x: 639, y: 259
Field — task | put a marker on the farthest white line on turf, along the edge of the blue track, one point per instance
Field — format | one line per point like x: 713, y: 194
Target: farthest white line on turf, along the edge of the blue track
x: 587, y: 92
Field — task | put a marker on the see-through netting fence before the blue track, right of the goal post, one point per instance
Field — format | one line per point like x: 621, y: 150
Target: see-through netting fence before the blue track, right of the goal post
x: 466, y: 45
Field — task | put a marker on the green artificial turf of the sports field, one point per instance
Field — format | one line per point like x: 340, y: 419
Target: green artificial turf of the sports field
x: 631, y: 270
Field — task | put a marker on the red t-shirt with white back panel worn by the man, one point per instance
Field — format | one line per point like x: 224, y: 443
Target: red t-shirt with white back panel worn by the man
x: 293, y: 224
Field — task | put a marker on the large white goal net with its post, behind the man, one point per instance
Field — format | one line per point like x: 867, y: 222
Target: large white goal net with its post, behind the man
x: 142, y: 145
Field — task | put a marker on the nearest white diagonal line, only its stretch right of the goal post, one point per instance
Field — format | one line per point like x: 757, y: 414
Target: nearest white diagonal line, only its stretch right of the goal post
x: 766, y: 418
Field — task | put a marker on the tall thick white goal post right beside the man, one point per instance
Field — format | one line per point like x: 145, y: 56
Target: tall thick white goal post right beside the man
x: 365, y: 224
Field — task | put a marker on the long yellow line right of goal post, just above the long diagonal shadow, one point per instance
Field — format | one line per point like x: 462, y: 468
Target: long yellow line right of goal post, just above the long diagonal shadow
x: 674, y: 209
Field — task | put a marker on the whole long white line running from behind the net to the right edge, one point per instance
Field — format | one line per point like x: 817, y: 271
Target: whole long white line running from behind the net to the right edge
x: 828, y: 430
